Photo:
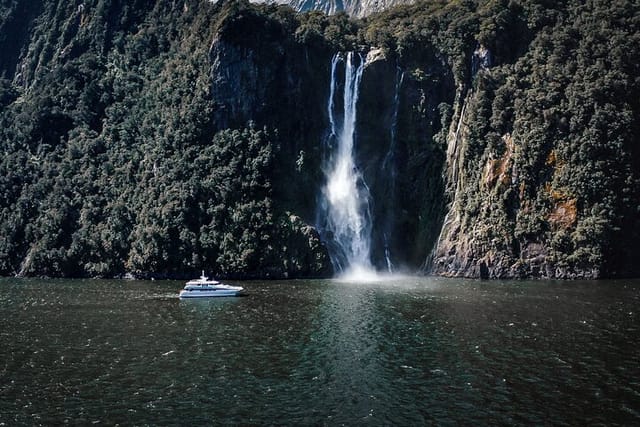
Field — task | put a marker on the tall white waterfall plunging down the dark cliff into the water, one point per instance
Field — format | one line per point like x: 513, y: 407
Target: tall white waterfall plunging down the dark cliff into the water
x: 344, y: 217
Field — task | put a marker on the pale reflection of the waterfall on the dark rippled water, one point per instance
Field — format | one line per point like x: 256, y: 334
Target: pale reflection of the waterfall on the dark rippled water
x: 342, y: 359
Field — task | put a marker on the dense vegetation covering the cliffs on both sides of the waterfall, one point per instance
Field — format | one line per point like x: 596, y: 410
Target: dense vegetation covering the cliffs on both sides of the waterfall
x: 119, y: 156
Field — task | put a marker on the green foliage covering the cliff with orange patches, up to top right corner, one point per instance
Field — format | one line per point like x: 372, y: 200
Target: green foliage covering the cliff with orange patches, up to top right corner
x: 568, y: 102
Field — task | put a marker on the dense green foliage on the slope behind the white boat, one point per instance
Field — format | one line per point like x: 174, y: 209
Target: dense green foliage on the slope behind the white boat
x: 113, y: 167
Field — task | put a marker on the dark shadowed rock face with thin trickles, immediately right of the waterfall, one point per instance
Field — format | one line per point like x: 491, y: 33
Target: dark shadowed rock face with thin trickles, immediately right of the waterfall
x: 398, y: 121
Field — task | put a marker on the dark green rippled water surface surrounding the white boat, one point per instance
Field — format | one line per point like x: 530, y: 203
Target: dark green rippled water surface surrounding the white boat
x: 410, y: 351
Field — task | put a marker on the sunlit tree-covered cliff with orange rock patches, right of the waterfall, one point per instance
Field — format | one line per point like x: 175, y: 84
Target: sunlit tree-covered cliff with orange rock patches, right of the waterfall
x: 535, y: 188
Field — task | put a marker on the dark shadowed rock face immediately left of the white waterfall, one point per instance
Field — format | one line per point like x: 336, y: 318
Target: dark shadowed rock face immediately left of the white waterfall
x: 261, y: 75
